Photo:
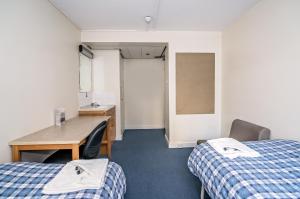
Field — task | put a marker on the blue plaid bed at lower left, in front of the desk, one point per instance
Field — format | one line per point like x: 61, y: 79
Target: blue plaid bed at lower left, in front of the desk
x: 26, y: 180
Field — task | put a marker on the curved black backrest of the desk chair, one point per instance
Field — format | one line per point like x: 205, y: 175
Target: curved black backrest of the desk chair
x: 92, y: 147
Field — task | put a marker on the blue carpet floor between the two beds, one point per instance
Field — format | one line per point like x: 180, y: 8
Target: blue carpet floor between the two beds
x: 153, y: 171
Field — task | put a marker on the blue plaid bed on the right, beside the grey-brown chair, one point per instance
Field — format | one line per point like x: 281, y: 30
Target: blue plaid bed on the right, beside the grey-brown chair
x: 276, y: 174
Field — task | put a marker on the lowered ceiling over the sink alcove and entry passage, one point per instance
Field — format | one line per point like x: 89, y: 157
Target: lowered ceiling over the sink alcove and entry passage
x: 132, y: 50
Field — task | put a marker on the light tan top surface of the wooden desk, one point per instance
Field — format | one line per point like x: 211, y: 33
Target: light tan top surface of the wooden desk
x: 73, y: 131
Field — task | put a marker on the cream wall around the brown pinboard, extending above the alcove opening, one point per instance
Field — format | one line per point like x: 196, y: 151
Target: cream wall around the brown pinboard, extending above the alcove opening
x: 184, y: 129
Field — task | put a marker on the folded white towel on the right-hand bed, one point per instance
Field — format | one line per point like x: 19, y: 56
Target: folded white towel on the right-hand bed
x: 231, y: 148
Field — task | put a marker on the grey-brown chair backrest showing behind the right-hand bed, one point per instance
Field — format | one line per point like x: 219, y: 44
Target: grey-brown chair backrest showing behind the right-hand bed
x: 246, y: 131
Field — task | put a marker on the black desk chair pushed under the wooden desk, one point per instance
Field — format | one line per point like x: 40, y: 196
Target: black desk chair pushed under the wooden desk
x: 90, y: 150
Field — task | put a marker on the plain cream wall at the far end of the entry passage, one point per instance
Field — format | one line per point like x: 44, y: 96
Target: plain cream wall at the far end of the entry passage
x: 144, y: 93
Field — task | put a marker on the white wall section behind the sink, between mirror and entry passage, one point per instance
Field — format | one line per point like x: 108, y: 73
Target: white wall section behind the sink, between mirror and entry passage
x: 106, y: 82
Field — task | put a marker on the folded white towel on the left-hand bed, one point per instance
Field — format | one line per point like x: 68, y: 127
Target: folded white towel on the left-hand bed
x: 77, y: 175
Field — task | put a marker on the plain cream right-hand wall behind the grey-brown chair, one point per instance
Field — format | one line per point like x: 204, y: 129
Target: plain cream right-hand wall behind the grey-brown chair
x: 261, y: 70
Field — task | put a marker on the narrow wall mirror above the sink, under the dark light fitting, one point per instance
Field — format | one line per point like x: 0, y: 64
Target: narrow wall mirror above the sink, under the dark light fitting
x: 85, y: 73
